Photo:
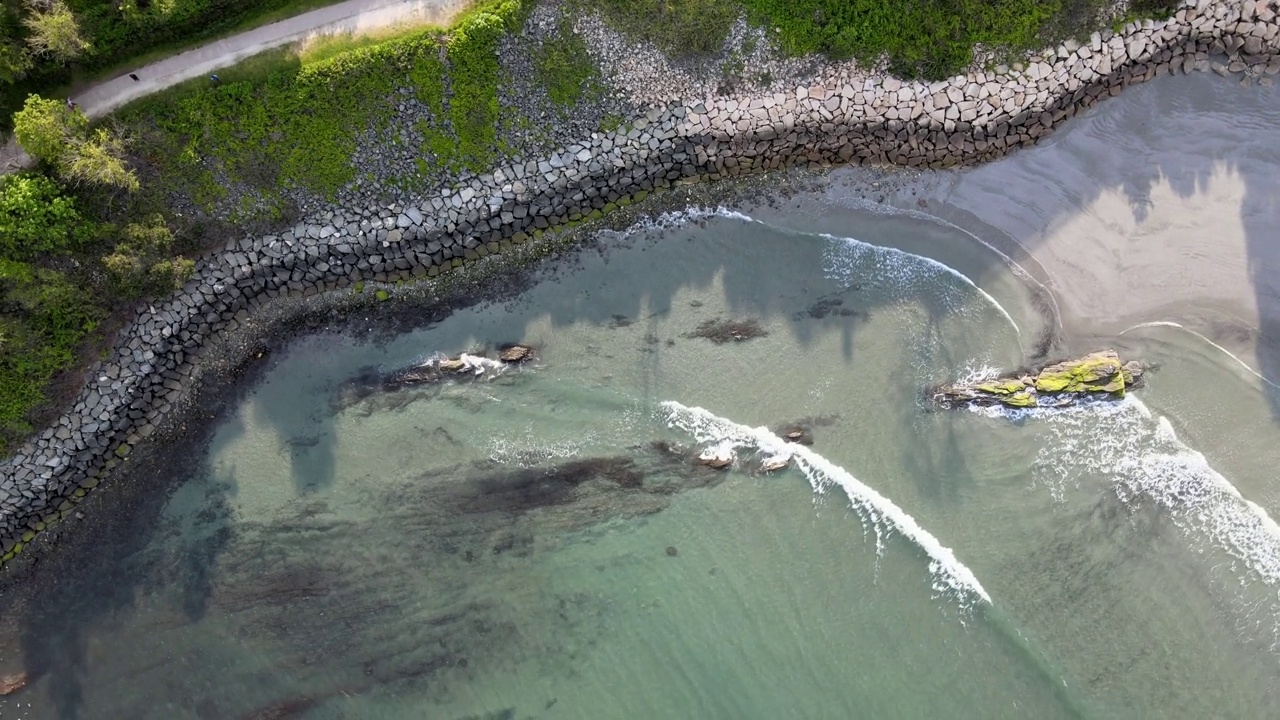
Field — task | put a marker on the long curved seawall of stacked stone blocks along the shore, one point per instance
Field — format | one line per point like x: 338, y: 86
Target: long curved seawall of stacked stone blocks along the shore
x: 861, y: 120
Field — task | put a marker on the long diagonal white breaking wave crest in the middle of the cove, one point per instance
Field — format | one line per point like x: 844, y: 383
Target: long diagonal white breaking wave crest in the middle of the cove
x: 950, y: 576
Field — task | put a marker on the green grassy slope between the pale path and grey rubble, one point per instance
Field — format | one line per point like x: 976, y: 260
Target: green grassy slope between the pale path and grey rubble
x: 292, y: 120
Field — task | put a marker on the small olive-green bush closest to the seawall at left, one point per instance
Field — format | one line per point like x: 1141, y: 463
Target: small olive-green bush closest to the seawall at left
x: 141, y: 261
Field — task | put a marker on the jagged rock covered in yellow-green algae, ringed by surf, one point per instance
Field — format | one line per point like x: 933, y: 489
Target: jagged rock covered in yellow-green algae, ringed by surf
x: 1099, y: 375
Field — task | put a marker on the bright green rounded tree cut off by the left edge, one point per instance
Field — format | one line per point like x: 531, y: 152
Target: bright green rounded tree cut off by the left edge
x: 36, y: 217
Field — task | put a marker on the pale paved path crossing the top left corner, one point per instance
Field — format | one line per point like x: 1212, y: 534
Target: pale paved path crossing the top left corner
x: 350, y: 17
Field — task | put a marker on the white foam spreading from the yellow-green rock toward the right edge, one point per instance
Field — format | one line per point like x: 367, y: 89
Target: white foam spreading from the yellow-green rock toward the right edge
x: 1144, y: 458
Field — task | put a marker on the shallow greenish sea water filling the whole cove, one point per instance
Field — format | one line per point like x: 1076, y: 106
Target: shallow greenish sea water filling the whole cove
x: 540, y: 543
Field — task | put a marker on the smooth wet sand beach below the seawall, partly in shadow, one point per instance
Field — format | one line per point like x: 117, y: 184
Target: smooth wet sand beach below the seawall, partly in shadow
x: 1158, y: 206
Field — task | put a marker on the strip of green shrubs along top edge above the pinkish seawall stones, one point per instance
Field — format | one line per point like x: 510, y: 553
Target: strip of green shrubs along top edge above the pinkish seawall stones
x: 931, y: 39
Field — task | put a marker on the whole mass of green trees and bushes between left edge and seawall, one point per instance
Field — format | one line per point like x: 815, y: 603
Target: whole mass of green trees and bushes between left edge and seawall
x: 63, y: 270
